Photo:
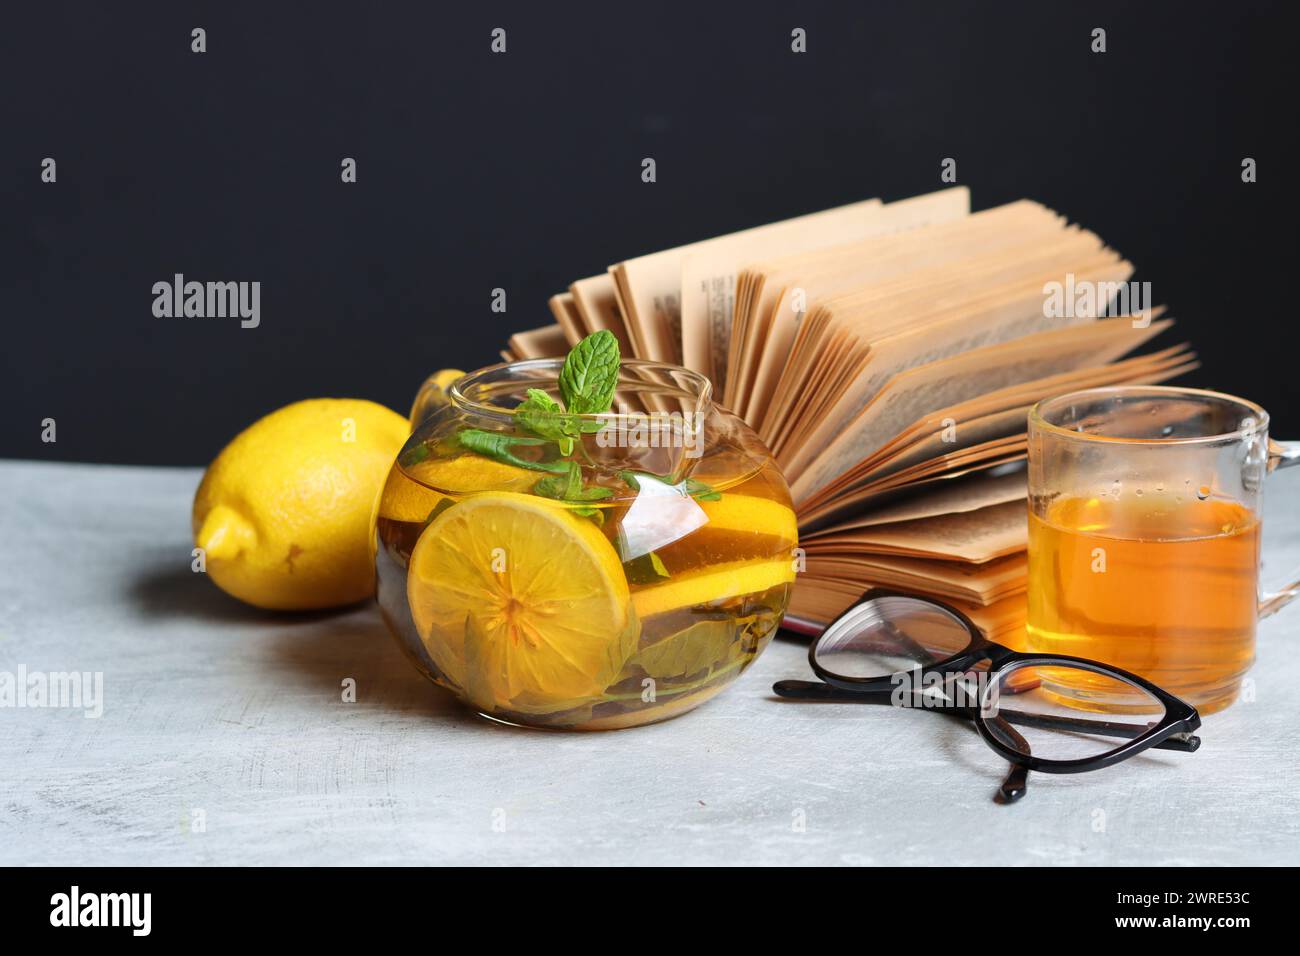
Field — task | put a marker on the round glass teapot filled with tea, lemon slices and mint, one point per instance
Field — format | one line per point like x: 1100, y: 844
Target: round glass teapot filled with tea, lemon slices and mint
x: 617, y: 577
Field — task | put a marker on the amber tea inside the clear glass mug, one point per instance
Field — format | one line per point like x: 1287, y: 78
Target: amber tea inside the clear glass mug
x: 1160, y: 585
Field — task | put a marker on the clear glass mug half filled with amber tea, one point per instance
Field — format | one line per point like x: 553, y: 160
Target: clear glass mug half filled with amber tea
x: 1145, y: 538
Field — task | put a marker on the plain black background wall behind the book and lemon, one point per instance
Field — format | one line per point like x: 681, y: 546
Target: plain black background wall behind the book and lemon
x: 523, y: 171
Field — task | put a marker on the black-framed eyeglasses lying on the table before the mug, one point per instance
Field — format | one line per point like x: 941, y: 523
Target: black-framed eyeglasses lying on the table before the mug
x: 1033, y: 710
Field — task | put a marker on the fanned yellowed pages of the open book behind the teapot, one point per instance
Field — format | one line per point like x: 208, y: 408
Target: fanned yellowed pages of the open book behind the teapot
x: 889, y: 356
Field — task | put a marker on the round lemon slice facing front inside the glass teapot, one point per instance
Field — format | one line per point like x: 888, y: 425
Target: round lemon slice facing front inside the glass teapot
x: 523, y: 605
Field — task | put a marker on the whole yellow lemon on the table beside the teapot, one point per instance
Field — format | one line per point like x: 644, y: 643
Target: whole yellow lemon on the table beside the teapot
x: 284, y: 513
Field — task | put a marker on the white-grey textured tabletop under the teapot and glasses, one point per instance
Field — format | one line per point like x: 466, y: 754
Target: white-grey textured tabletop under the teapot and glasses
x: 214, y: 712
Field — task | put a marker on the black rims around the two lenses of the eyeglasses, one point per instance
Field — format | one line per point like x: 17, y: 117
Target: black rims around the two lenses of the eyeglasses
x: 1180, y: 717
